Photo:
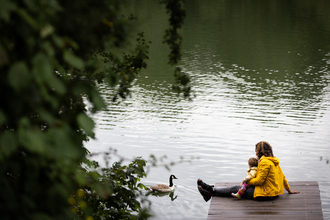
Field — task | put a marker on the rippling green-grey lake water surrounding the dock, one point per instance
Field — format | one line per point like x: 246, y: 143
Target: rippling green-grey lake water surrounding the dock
x: 260, y: 71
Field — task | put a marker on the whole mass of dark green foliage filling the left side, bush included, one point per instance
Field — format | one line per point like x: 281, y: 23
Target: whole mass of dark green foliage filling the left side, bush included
x: 52, y: 54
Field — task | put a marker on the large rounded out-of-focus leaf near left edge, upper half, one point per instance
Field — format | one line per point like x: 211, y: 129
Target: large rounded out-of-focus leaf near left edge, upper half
x: 18, y: 76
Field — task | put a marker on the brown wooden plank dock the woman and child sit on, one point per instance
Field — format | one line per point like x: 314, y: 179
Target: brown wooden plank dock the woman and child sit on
x: 305, y: 205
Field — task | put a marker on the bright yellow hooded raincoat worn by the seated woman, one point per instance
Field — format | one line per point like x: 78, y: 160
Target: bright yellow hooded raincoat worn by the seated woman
x: 270, y: 179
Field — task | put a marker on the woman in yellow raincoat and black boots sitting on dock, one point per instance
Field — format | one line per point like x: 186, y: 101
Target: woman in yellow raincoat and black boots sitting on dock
x: 268, y: 183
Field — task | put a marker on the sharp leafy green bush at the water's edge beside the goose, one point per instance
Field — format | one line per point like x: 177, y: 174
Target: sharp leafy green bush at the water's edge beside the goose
x: 119, y: 192
